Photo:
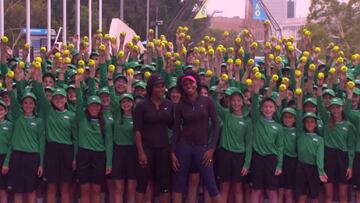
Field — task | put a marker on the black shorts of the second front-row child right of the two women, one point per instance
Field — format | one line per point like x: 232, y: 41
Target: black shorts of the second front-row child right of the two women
x: 262, y: 172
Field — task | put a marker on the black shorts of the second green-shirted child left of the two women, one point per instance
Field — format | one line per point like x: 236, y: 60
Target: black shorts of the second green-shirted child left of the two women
x: 90, y: 166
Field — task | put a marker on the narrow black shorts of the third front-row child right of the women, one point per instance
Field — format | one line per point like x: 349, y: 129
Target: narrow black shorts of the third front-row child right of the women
x: 287, y: 177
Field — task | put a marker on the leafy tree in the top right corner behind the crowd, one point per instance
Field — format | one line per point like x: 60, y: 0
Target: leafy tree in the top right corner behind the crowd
x: 333, y: 21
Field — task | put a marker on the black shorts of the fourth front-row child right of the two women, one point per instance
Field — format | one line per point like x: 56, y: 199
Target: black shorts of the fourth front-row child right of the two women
x: 307, y: 180
